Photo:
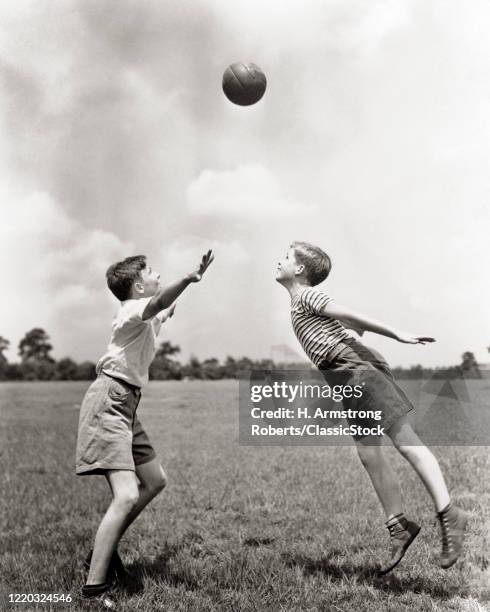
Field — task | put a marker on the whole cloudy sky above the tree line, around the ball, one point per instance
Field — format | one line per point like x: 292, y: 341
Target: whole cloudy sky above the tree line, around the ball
x: 370, y: 141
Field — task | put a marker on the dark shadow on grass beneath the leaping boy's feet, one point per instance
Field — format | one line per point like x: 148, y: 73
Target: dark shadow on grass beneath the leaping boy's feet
x: 341, y: 571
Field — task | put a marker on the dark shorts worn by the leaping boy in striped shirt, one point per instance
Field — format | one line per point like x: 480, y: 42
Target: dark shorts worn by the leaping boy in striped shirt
x: 356, y: 364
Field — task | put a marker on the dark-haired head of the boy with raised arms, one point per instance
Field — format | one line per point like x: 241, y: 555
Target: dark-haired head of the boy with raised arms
x: 132, y: 278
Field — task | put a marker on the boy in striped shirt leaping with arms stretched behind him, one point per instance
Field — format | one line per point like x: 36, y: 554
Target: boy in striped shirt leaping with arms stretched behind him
x: 320, y: 326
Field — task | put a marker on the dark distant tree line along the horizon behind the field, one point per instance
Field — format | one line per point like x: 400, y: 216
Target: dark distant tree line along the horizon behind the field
x: 37, y: 363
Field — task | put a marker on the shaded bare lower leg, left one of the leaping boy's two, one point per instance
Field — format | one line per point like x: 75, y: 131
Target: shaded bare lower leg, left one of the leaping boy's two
x: 382, y: 475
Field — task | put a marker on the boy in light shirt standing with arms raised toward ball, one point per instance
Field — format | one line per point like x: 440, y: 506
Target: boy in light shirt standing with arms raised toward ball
x: 111, y: 440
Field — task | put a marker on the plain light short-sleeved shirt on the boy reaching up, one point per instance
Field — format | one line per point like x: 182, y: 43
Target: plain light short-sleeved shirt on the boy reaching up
x: 133, y: 343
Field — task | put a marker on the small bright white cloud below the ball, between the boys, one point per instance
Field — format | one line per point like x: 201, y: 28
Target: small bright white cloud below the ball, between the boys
x: 249, y: 192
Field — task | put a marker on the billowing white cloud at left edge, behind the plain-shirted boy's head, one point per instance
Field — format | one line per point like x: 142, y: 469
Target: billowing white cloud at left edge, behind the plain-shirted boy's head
x: 54, y: 277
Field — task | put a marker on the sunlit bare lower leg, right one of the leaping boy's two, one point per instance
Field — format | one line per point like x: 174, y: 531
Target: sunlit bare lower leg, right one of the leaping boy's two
x: 422, y: 460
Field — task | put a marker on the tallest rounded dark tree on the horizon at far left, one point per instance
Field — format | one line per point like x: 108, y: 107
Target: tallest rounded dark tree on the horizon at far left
x: 36, y: 362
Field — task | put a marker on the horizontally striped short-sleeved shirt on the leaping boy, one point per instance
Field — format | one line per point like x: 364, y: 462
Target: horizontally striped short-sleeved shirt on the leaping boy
x: 317, y: 333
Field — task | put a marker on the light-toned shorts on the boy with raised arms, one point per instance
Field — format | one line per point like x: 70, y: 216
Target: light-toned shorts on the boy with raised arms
x: 110, y: 435
